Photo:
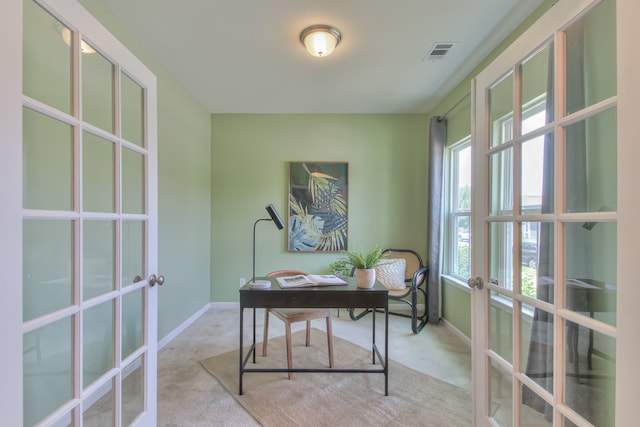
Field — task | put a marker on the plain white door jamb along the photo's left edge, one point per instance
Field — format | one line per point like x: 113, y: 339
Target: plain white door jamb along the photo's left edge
x: 11, y: 212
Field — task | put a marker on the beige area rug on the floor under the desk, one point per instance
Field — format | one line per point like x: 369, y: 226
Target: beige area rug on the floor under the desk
x: 336, y: 399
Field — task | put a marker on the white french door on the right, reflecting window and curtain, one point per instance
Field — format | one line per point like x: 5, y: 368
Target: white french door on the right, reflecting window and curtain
x: 550, y: 209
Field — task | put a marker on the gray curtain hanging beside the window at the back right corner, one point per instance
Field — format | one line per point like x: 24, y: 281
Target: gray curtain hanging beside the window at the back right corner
x: 437, y: 138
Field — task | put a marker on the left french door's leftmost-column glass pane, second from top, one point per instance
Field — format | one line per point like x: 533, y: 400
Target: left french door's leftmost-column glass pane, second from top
x: 48, y: 162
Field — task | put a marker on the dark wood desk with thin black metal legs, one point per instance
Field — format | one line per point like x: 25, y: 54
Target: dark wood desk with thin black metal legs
x: 349, y: 296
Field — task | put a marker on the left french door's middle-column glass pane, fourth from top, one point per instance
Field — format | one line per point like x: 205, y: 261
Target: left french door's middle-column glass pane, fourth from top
x: 97, y: 342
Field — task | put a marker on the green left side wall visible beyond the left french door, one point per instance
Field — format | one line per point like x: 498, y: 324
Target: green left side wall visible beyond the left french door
x: 184, y: 189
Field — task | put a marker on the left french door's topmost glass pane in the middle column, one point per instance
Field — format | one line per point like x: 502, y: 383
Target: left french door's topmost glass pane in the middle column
x: 97, y: 91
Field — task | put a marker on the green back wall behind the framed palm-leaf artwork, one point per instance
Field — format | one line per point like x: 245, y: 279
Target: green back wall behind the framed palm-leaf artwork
x: 387, y: 157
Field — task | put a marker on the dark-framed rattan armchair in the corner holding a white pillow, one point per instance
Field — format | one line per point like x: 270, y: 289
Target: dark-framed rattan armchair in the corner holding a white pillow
x: 415, y: 278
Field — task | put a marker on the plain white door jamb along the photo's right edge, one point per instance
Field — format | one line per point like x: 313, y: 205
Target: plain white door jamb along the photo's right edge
x: 628, y: 343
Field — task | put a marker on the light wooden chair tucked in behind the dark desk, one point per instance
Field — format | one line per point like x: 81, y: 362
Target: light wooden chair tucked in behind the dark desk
x: 292, y: 315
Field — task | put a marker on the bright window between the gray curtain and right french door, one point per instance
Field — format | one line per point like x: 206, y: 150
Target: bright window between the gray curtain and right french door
x: 458, y: 211
